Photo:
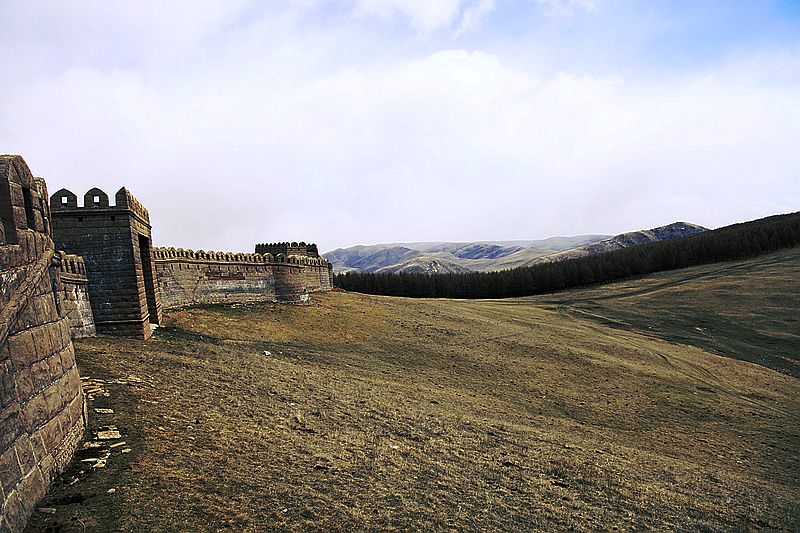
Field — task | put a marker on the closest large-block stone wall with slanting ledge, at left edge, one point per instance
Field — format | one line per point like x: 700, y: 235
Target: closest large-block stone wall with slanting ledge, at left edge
x: 41, y: 403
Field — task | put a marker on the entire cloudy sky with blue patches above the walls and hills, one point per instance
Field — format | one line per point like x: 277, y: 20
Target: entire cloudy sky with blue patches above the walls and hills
x: 362, y: 121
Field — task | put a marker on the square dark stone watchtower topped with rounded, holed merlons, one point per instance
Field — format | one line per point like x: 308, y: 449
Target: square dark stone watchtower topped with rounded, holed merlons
x: 115, y: 243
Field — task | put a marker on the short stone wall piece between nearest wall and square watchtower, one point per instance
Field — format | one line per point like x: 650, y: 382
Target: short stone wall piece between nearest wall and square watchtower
x: 75, y: 295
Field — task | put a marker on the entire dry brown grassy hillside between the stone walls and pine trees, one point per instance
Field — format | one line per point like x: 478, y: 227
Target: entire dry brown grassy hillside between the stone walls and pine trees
x: 586, y: 410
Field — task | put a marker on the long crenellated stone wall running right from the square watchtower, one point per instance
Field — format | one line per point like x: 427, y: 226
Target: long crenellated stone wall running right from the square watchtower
x: 186, y: 277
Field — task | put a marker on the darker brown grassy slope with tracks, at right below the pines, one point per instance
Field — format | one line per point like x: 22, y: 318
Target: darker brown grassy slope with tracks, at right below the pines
x: 749, y: 309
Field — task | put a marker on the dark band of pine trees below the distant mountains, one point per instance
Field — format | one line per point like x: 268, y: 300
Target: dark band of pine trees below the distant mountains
x: 738, y: 241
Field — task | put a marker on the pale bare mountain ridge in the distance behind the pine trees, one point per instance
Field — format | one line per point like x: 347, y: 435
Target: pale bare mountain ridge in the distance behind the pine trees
x: 483, y: 256
